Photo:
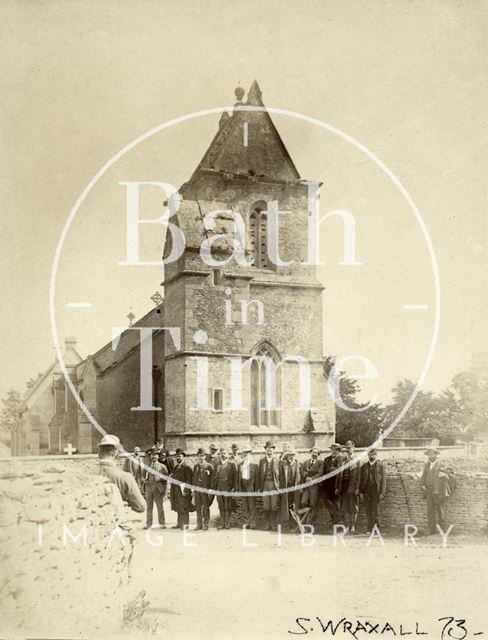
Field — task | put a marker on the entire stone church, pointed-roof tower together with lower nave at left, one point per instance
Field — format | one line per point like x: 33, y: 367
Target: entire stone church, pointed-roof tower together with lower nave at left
x: 237, y: 322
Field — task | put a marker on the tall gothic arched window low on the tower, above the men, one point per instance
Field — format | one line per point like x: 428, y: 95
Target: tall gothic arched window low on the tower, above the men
x: 265, y: 387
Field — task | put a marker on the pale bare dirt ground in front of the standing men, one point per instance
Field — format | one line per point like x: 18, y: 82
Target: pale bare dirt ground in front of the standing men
x: 222, y: 589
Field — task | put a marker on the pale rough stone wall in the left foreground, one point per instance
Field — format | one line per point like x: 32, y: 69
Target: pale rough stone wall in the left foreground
x: 54, y: 584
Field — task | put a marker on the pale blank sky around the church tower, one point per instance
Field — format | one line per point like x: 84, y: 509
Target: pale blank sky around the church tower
x: 405, y: 79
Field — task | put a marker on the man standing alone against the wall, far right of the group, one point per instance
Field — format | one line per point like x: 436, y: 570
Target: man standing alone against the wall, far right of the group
x: 437, y: 487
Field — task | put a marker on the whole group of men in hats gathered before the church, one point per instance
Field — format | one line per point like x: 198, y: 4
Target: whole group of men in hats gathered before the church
x: 339, y: 480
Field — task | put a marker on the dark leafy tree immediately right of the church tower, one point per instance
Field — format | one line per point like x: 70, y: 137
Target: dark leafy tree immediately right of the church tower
x: 360, y: 422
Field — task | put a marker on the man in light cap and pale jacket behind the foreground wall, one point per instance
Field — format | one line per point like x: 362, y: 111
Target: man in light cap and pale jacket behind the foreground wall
x: 108, y: 452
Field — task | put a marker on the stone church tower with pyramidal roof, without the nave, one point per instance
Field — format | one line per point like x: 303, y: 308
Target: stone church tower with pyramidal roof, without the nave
x: 231, y: 178
